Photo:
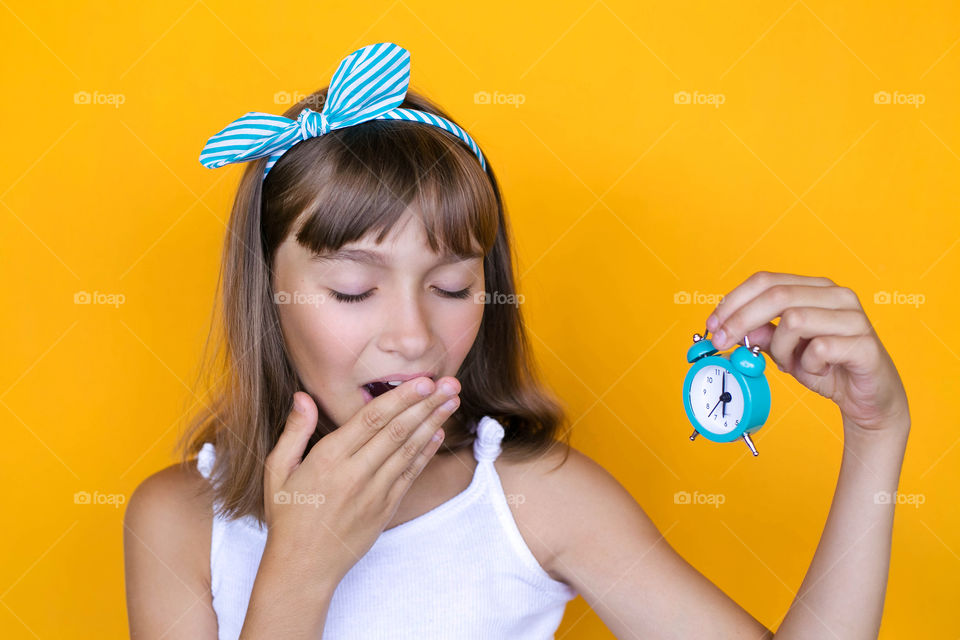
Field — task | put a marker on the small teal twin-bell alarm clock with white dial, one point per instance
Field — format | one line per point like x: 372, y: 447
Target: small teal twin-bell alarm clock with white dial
x: 726, y: 398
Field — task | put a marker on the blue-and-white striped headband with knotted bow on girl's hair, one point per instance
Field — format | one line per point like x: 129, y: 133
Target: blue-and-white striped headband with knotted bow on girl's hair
x: 370, y: 84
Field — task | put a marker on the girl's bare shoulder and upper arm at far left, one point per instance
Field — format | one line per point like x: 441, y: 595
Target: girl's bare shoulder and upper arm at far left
x: 166, y: 541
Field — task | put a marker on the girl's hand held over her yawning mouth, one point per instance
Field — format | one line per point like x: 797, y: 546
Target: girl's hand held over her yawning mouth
x: 332, y: 505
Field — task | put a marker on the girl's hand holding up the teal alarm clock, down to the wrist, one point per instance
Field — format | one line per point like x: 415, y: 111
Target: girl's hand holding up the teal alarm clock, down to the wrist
x: 823, y: 339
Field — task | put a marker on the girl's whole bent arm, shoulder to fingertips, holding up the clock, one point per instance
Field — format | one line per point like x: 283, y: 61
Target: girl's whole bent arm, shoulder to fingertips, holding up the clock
x: 628, y: 573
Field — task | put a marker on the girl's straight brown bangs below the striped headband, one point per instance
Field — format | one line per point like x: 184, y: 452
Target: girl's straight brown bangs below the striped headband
x: 360, y: 180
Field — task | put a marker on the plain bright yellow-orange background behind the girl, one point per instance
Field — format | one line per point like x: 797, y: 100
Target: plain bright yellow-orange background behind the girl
x: 620, y: 199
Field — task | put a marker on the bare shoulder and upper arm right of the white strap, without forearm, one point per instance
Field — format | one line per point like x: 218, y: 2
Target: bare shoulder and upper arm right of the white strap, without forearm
x: 587, y: 530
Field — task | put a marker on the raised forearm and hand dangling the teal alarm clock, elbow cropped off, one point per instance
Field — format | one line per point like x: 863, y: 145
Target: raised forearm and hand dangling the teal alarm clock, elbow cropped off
x: 826, y: 342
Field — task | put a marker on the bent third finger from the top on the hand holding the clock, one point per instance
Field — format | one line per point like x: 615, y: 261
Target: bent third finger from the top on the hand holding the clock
x: 798, y: 323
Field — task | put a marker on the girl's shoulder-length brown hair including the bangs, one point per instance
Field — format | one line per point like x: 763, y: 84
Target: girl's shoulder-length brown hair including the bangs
x: 329, y: 191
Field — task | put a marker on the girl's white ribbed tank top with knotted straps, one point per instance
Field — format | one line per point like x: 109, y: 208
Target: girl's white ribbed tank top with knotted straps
x: 460, y: 571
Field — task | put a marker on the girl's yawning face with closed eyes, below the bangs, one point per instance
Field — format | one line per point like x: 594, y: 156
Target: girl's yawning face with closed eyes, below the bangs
x: 404, y: 320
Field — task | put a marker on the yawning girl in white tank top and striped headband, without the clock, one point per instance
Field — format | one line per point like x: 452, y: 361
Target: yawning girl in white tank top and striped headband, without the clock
x: 360, y: 468
